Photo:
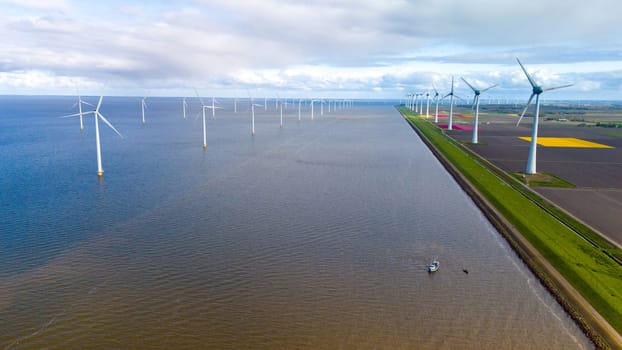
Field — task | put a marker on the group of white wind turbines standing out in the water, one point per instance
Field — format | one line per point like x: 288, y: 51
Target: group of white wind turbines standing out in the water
x: 344, y: 104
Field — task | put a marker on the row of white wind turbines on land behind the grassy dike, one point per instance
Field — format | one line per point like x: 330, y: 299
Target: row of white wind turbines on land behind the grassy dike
x: 415, y: 104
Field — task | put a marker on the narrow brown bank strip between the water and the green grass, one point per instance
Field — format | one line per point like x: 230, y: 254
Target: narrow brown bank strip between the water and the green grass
x: 594, y: 326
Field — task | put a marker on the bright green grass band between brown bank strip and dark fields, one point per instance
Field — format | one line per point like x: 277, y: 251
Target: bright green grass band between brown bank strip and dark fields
x: 583, y: 259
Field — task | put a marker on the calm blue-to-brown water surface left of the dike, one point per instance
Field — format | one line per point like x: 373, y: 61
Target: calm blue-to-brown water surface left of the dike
x: 314, y: 236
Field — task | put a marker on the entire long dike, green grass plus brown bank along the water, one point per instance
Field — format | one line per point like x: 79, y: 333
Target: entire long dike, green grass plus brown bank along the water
x: 584, y: 278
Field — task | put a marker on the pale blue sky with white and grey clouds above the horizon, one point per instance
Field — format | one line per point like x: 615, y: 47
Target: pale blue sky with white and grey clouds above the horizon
x: 347, y: 48
